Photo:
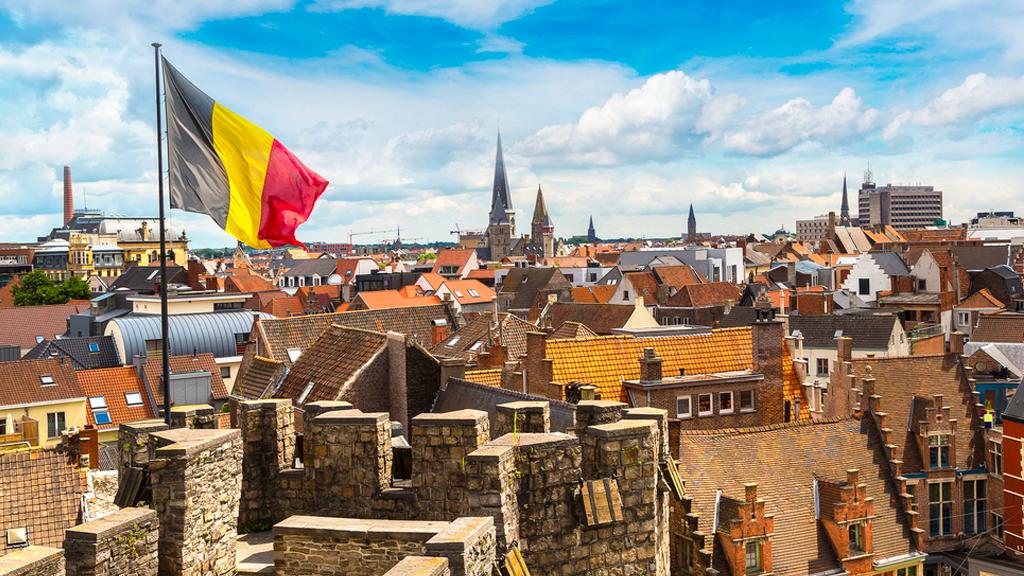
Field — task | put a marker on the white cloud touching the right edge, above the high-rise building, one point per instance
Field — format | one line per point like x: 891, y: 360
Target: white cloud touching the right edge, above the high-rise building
x: 978, y: 96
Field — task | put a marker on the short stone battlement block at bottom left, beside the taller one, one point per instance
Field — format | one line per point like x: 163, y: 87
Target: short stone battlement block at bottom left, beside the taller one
x: 123, y: 544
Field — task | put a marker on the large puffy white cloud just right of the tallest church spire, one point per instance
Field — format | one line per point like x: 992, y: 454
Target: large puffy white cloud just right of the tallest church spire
x: 669, y: 113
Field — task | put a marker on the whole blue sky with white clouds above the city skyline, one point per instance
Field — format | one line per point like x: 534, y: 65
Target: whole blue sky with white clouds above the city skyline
x: 630, y: 111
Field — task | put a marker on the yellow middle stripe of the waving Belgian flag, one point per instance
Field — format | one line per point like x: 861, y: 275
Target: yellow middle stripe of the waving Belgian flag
x: 245, y: 150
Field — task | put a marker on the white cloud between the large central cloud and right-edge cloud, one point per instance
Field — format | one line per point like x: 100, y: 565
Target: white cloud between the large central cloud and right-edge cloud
x: 799, y: 121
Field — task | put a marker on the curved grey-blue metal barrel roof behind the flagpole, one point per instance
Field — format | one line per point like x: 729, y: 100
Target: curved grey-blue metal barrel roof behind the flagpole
x: 212, y: 334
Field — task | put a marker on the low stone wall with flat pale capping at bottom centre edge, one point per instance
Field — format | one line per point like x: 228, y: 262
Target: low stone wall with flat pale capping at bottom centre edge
x: 325, y: 547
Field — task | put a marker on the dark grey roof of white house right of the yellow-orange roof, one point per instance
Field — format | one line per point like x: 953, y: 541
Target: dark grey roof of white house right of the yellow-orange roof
x: 868, y: 333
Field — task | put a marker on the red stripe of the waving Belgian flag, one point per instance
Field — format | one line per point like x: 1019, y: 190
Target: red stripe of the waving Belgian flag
x: 290, y: 191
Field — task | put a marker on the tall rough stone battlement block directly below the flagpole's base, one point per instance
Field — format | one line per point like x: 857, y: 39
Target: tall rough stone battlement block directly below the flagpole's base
x: 197, y: 483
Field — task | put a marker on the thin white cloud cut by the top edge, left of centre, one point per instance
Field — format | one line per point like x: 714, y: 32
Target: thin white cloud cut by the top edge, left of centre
x: 484, y: 15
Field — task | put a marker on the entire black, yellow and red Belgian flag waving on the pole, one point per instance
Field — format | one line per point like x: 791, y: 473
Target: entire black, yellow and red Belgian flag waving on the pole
x: 226, y: 167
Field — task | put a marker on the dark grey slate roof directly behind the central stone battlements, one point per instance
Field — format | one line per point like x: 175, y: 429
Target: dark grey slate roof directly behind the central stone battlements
x: 460, y: 395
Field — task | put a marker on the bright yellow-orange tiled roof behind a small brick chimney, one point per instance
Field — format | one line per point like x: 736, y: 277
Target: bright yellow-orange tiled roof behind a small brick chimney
x: 607, y: 361
